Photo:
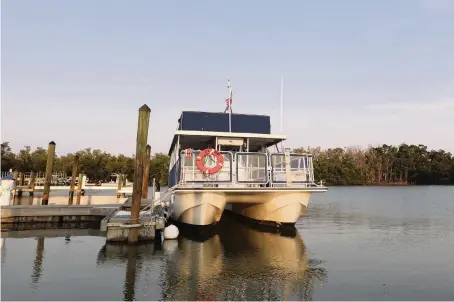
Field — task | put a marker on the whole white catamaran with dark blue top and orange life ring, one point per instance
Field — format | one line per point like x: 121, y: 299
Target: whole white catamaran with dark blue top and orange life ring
x: 222, y: 161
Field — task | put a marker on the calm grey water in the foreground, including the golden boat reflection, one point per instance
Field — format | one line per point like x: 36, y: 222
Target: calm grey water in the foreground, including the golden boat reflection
x: 384, y: 243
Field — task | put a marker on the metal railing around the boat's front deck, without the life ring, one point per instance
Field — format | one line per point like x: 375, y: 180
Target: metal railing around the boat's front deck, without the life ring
x: 246, y: 169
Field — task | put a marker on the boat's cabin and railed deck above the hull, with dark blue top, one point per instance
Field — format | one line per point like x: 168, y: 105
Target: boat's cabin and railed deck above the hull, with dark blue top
x: 242, y: 143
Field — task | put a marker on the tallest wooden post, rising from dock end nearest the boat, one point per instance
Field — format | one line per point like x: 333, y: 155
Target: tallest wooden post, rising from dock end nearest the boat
x: 141, y: 142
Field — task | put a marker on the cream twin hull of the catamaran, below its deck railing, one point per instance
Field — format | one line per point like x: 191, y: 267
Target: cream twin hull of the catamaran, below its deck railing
x: 205, y: 206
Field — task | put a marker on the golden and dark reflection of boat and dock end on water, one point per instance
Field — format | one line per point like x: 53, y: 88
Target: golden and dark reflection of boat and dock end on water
x: 233, y: 262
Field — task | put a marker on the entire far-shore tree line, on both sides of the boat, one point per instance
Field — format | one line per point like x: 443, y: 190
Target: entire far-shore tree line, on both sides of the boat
x: 382, y: 165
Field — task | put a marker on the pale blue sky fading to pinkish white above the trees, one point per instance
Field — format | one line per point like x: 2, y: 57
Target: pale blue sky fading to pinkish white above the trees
x: 356, y: 73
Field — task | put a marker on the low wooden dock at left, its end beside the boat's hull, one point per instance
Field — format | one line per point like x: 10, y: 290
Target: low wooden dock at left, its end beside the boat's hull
x: 113, y: 220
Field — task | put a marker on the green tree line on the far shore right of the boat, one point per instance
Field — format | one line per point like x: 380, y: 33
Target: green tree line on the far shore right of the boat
x: 383, y: 165
